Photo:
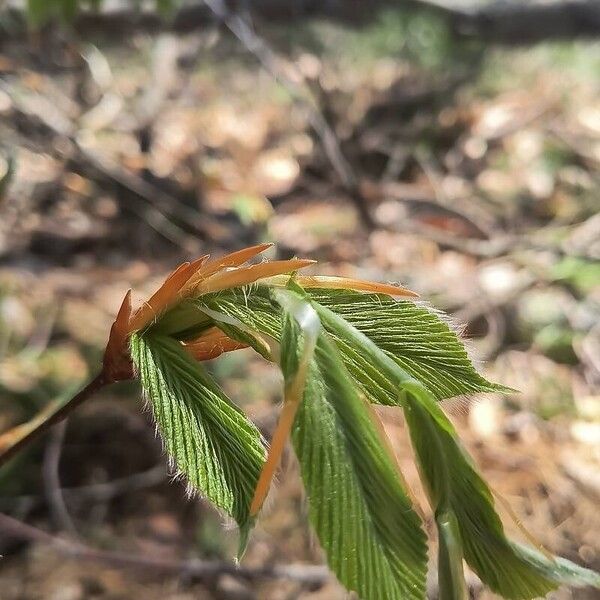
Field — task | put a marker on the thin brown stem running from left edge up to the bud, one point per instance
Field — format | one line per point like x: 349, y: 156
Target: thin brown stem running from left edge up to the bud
x: 24, y: 435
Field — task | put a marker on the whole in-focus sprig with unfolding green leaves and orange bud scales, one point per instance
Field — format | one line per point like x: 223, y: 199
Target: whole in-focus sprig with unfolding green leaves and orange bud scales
x: 342, y: 346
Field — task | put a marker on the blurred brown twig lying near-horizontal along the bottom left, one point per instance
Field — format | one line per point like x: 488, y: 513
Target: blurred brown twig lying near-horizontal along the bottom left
x: 308, y: 575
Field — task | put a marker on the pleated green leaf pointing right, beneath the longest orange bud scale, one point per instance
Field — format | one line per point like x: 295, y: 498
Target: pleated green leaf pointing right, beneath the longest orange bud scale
x: 413, y: 336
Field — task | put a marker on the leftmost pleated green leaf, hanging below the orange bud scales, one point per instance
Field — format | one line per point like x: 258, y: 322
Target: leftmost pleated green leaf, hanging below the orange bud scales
x: 210, y: 440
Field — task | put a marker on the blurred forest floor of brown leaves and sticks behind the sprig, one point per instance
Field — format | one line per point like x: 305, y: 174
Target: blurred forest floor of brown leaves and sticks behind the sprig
x: 452, y: 146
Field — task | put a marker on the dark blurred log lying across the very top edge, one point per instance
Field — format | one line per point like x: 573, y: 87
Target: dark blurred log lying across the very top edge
x: 506, y: 22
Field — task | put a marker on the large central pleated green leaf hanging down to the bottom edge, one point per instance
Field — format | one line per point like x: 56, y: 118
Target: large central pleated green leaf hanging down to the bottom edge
x: 357, y: 504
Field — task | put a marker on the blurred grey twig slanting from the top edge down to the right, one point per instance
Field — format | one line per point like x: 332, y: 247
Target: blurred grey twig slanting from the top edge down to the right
x: 270, y: 61
